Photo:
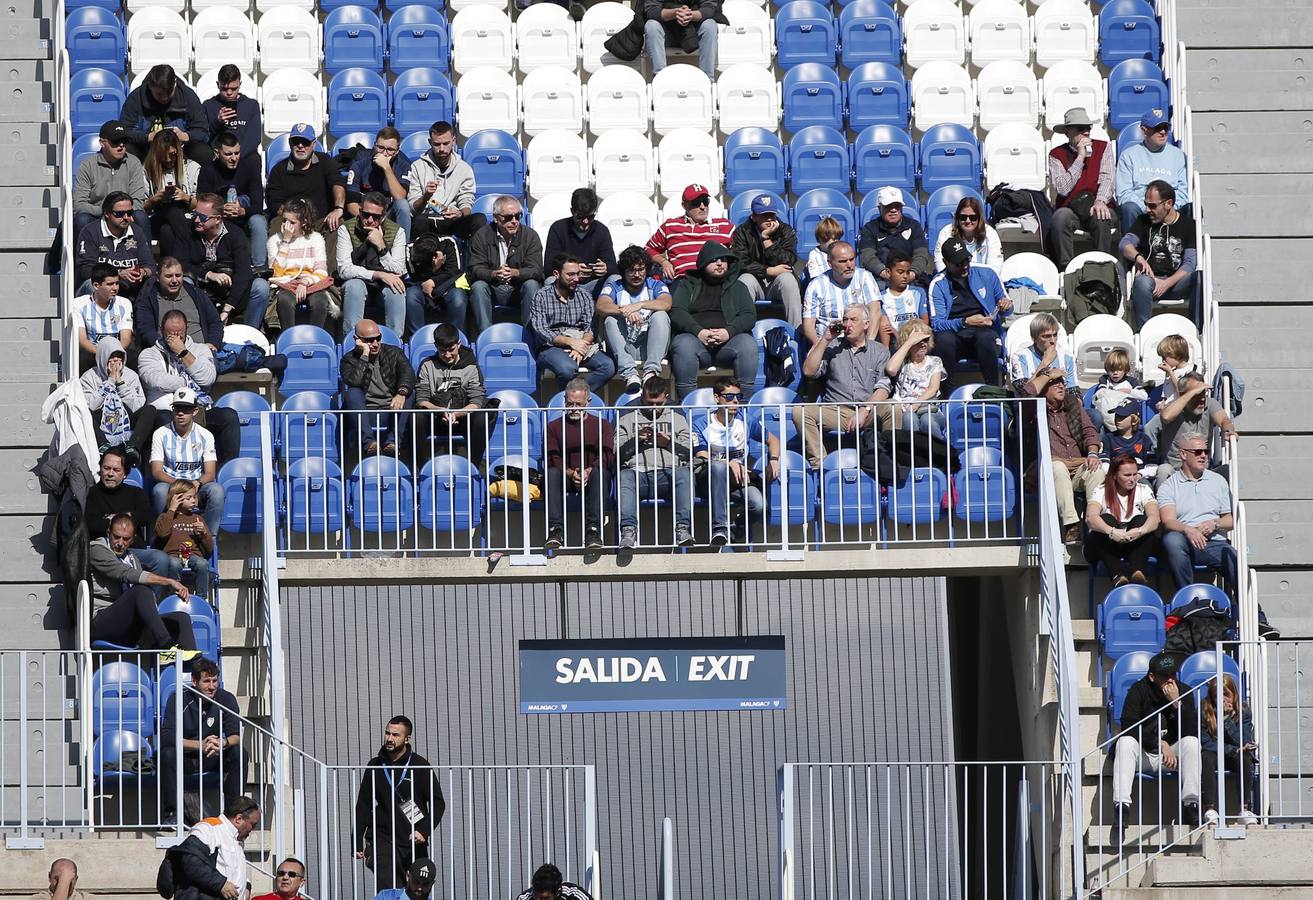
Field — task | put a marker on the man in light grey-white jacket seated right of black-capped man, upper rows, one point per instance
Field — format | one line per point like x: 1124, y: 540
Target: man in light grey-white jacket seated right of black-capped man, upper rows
x: 442, y: 190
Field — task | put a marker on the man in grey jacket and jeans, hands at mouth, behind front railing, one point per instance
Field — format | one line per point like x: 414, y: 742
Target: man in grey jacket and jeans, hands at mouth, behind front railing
x: 655, y: 450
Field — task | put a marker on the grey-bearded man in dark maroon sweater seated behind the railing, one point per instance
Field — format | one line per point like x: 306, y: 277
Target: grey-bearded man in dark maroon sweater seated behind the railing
x: 581, y: 461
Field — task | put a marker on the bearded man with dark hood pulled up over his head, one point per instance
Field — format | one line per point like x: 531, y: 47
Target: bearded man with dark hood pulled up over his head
x: 712, y: 316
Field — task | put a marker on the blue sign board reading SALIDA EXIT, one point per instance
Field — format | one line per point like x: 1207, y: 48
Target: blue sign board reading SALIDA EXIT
x: 653, y: 675
